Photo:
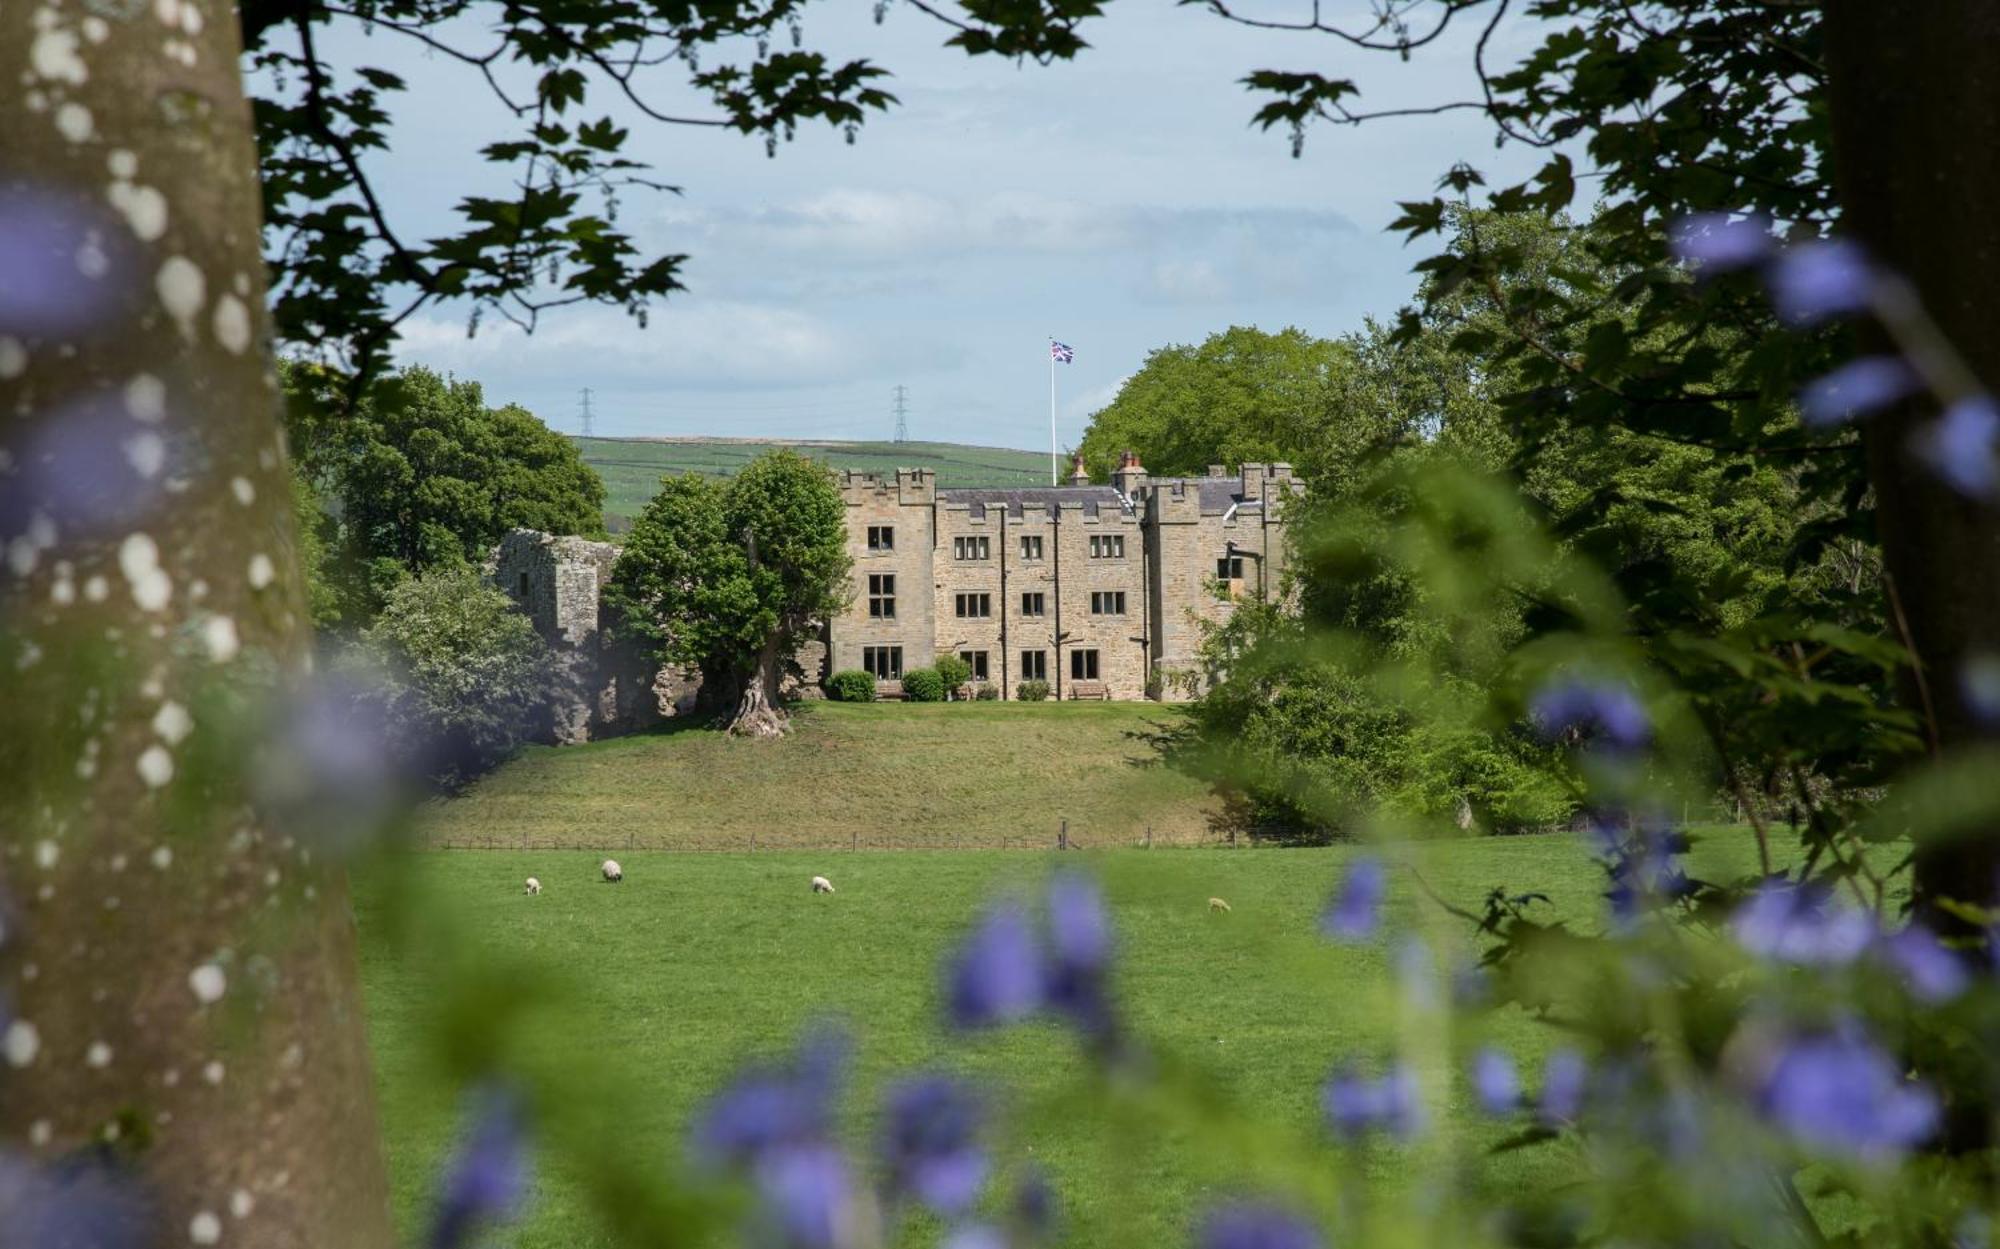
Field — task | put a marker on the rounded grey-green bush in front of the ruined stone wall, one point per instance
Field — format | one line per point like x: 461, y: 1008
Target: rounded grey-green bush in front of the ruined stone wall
x: 465, y: 678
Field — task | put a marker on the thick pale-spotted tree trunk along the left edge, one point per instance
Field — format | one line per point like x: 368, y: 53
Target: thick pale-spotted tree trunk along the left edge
x: 179, y: 980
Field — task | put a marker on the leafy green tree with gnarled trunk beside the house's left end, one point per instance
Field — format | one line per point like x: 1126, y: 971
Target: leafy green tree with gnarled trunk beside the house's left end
x: 735, y: 577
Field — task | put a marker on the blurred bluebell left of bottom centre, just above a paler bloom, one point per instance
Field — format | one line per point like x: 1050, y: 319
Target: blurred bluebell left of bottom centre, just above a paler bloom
x: 773, y: 1106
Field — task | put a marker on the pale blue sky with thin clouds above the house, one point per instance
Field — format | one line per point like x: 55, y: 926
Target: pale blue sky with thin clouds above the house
x: 1119, y: 203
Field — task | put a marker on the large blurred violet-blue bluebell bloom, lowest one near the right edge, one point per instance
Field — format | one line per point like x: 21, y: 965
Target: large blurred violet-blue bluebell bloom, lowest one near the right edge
x: 1843, y: 1096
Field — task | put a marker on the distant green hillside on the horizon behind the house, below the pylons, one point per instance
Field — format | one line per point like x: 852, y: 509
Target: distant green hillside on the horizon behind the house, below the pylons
x: 633, y: 467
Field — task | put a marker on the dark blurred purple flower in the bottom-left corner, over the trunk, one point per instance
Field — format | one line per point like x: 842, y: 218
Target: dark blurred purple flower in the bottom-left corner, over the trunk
x: 87, y: 1202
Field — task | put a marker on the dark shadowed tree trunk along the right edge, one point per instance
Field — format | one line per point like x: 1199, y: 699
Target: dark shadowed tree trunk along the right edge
x: 1915, y: 95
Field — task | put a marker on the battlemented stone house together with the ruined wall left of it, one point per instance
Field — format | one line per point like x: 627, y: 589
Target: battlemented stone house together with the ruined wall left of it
x: 1101, y: 591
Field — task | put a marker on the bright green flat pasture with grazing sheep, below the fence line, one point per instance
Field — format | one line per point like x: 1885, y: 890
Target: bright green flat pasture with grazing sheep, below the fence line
x: 653, y: 992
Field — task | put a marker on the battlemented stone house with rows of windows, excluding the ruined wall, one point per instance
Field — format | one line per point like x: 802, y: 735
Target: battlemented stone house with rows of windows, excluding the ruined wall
x: 1087, y: 585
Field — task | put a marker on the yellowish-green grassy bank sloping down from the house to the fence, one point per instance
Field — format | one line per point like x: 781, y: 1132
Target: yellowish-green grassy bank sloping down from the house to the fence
x: 849, y: 776
